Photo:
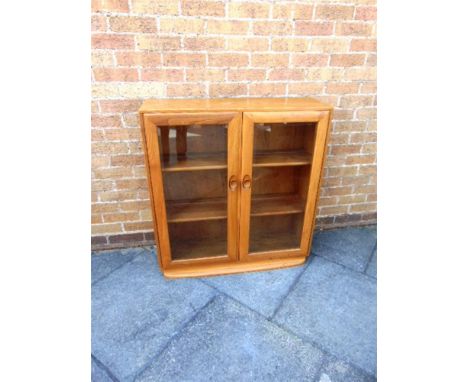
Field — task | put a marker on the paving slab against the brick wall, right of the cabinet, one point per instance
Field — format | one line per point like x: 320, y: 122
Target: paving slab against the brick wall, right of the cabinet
x: 351, y: 247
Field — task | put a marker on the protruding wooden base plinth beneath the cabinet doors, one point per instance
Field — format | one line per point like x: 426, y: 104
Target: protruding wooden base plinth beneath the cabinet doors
x: 232, y: 268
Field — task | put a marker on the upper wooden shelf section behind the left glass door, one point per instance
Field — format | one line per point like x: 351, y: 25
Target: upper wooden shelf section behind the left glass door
x: 194, y: 162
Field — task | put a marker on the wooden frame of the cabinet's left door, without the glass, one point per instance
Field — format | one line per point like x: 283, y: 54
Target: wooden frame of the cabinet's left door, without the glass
x: 150, y: 121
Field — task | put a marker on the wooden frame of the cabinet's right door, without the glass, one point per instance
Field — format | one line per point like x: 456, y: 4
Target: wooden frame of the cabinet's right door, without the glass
x: 322, y: 119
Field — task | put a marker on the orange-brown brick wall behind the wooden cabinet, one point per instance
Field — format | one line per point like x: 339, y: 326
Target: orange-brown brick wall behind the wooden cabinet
x: 204, y: 49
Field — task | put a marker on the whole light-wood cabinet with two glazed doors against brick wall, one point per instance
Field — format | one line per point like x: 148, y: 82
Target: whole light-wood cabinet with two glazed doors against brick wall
x: 233, y: 182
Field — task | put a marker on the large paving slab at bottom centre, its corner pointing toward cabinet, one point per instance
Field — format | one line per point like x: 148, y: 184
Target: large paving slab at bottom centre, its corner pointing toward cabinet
x: 228, y: 342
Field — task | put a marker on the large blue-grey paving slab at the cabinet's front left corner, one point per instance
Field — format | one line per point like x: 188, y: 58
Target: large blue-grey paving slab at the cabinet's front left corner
x: 135, y: 311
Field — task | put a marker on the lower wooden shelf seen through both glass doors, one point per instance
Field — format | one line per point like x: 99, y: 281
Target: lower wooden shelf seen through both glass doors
x: 216, y: 208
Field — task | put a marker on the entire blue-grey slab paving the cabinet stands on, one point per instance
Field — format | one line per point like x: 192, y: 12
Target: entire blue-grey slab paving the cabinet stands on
x: 312, y: 323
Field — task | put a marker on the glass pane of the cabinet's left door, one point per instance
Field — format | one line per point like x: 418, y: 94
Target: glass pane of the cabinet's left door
x: 194, y: 167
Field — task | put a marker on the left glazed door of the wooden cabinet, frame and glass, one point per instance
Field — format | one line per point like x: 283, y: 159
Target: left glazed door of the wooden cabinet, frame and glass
x: 193, y: 161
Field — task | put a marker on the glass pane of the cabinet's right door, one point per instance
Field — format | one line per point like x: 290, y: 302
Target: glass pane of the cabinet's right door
x: 280, y: 180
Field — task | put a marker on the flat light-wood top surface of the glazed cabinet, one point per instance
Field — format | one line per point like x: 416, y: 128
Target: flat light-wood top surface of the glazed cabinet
x: 233, y: 104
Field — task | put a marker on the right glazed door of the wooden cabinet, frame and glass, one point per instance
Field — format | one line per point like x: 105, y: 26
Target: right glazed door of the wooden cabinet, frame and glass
x: 282, y: 156
